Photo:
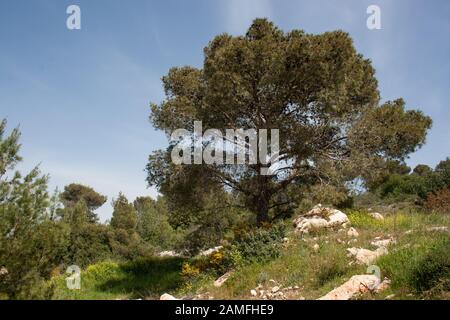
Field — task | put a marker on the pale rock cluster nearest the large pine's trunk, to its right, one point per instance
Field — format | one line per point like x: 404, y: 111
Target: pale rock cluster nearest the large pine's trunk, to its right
x: 320, y: 218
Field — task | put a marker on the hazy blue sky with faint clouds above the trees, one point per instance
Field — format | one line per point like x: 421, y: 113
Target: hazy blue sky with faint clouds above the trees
x: 81, y: 97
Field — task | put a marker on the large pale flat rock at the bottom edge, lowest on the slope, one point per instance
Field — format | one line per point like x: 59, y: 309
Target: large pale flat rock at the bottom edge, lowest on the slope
x: 355, y: 286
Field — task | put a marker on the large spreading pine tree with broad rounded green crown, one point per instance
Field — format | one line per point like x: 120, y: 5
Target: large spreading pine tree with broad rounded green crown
x: 317, y: 90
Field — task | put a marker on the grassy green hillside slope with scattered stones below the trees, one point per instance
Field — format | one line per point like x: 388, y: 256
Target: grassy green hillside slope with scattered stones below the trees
x: 416, y: 261
